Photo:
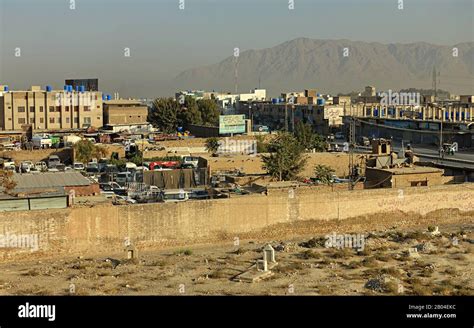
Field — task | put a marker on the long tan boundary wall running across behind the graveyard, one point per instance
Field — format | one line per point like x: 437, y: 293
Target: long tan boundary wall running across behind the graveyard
x: 102, y: 229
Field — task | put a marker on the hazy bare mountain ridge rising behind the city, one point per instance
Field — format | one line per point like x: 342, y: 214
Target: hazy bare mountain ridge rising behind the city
x: 307, y: 63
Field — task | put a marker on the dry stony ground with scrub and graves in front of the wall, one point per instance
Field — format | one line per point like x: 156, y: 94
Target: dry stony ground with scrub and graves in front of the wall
x: 442, y: 265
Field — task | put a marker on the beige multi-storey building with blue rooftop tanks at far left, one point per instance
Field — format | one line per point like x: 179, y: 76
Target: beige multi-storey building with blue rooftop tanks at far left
x: 50, y: 109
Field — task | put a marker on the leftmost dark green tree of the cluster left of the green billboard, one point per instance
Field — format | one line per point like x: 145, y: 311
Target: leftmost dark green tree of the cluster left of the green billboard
x: 163, y: 114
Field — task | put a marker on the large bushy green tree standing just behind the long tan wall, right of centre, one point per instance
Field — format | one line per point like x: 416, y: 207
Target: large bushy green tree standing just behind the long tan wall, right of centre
x: 286, y: 159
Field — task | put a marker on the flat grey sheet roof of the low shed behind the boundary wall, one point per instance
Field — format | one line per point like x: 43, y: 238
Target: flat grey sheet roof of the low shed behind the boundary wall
x: 49, y: 180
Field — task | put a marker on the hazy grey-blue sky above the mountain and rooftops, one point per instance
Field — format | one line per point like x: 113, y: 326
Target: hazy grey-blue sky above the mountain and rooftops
x: 58, y: 43
